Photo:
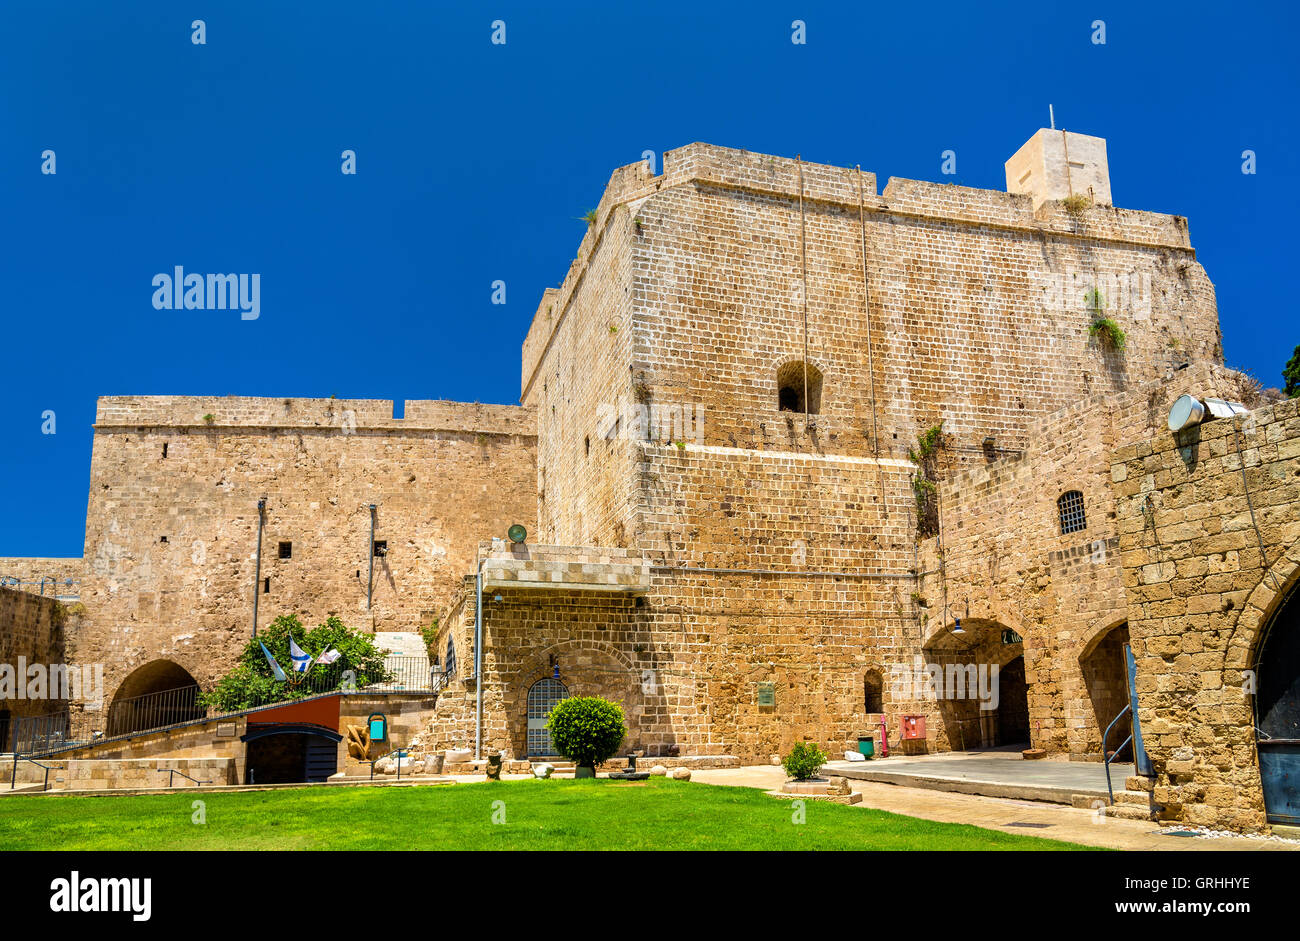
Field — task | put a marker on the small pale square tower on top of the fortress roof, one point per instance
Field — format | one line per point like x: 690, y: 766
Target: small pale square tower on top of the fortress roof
x: 1056, y: 164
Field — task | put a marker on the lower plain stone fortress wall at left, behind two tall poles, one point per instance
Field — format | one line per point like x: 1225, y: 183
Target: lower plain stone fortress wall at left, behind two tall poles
x: 172, y: 524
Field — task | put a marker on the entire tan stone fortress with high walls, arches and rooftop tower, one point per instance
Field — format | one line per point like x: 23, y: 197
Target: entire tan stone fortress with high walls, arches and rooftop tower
x: 734, y: 527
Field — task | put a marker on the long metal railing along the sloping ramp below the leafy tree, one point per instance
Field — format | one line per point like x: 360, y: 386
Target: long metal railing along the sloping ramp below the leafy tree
x: 68, y: 728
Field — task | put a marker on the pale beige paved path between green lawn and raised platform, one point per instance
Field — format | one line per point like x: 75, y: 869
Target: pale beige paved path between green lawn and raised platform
x: 1002, y: 814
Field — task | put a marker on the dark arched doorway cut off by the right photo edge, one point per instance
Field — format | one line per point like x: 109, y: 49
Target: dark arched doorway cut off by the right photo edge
x: 1277, y: 714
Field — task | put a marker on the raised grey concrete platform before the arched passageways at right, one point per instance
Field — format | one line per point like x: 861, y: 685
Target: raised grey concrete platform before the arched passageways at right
x: 991, y: 774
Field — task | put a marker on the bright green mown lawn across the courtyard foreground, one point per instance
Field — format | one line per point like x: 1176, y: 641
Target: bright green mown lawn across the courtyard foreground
x: 539, y: 816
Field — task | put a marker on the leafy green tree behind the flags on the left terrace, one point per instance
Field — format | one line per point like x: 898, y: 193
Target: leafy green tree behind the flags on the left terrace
x: 252, y: 683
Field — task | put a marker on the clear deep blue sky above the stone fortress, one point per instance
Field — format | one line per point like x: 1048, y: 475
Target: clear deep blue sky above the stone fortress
x: 476, y: 162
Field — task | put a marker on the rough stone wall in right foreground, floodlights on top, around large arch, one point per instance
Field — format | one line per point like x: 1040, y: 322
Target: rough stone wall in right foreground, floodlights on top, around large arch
x: 1210, y: 539
